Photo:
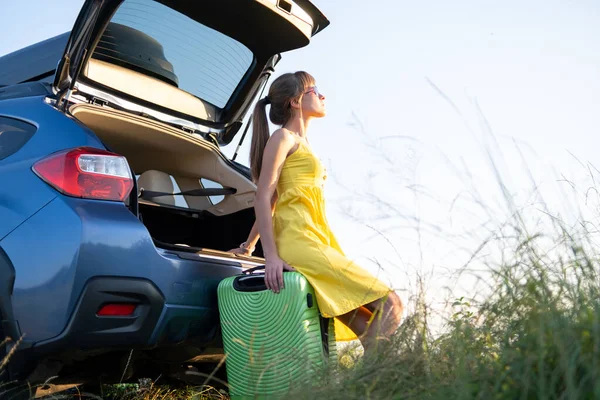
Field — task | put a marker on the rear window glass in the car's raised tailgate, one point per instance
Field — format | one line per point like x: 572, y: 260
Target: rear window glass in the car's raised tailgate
x: 154, y: 39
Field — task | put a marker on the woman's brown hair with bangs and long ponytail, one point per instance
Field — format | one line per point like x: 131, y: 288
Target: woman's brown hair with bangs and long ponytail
x: 283, y: 91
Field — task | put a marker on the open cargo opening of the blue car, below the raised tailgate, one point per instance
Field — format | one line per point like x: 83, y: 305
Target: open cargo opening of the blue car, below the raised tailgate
x: 168, y: 160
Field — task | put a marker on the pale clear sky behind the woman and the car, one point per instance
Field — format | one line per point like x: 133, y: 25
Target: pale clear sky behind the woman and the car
x: 444, y: 118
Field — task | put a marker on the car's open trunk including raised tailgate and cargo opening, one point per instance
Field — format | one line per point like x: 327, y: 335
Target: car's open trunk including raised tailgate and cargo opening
x: 166, y: 95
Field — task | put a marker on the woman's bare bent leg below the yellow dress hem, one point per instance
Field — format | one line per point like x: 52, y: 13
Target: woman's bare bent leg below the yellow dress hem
x: 375, y: 321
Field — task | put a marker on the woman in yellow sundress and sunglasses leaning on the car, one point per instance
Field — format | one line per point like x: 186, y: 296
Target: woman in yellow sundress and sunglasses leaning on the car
x: 290, y: 217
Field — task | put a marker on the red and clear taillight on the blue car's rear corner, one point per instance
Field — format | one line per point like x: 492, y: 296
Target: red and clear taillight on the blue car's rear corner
x: 88, y: 173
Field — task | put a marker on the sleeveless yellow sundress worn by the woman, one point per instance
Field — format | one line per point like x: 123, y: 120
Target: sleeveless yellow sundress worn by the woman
x: 305, y: 242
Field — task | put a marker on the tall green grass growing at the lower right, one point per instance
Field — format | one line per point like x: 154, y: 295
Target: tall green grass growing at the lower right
x: 537, y: 335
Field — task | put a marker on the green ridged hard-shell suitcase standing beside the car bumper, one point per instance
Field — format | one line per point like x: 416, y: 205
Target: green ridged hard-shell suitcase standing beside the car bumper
x: 273, y: 342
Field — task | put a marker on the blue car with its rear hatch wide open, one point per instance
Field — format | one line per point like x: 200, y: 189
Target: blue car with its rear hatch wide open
x: 117, y: 205
